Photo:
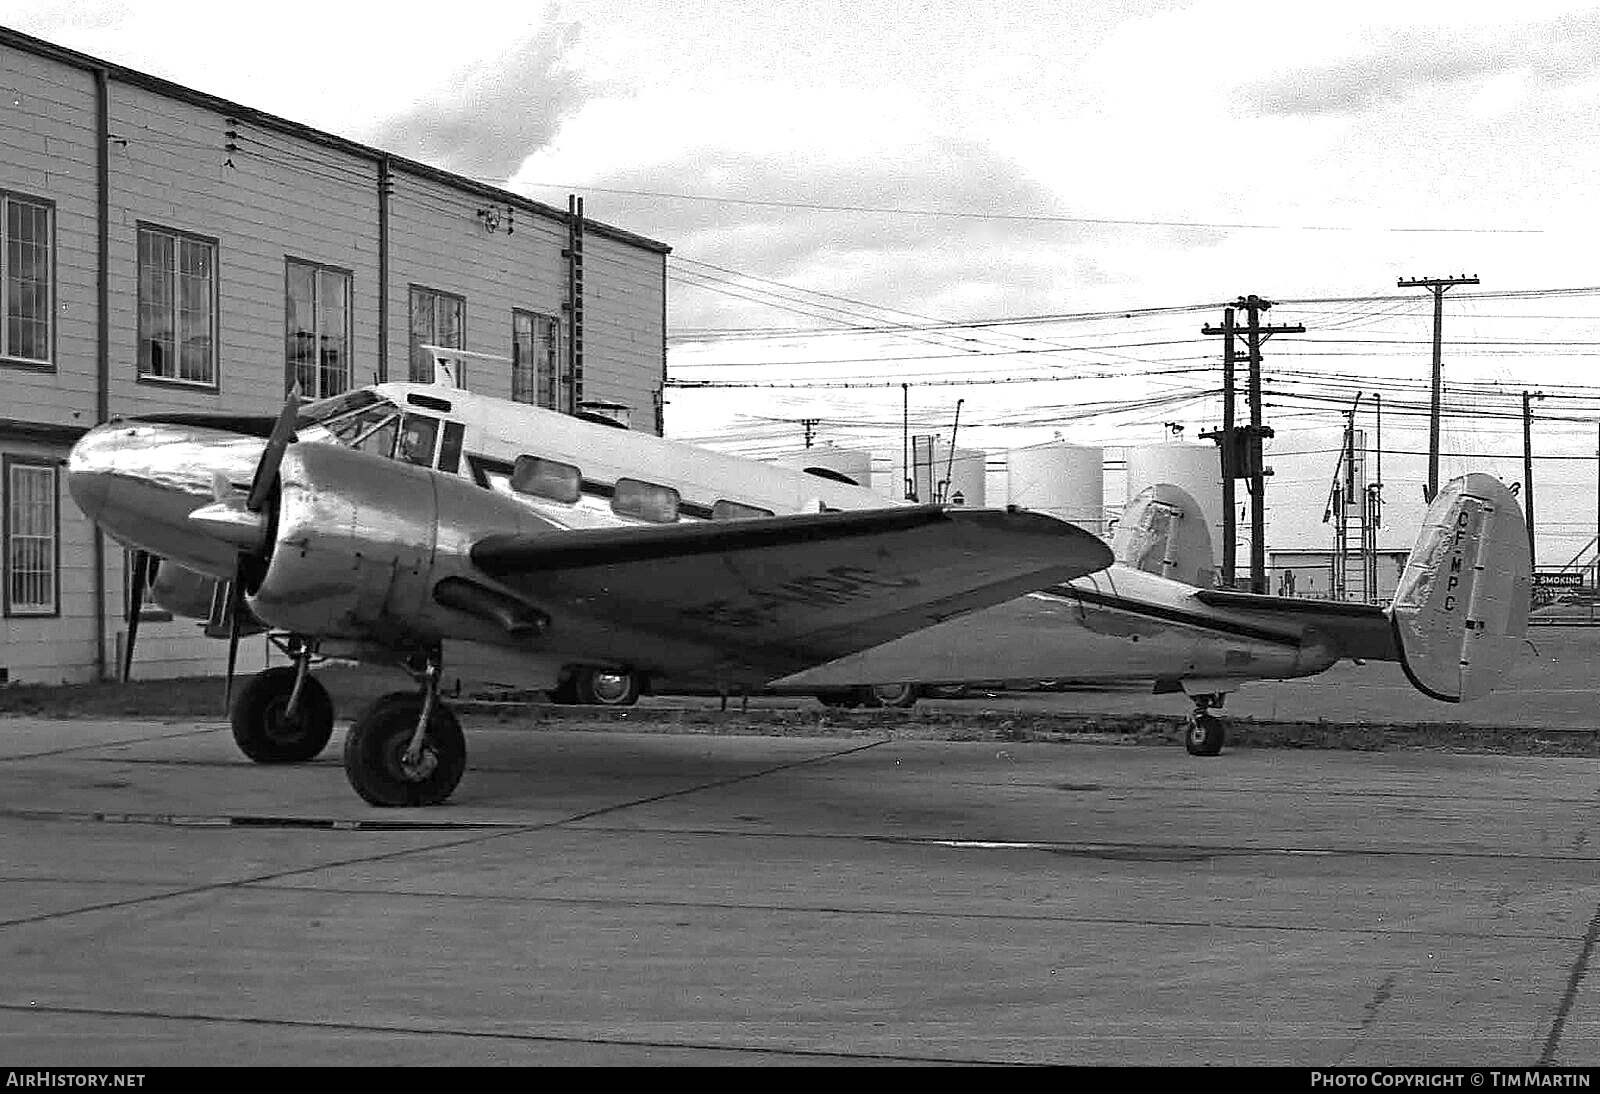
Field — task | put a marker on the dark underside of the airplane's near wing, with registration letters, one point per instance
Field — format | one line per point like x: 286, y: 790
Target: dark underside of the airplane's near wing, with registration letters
x: 766, y: 597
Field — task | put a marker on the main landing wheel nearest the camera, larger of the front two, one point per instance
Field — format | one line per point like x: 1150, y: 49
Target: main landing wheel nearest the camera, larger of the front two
x: 378, y: 741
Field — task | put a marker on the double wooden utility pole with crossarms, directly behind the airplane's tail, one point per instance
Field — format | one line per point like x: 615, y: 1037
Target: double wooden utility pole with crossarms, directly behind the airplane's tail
x: 1242, y: 450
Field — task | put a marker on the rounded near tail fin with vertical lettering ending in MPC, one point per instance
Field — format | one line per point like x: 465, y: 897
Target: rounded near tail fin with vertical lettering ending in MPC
x: 1462, y: 609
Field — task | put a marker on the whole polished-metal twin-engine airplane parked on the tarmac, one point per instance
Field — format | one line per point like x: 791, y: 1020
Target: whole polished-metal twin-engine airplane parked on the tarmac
x: 402, y: 522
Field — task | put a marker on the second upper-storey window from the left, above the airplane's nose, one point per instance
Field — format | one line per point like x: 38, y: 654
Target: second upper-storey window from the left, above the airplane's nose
x: 177, y: 308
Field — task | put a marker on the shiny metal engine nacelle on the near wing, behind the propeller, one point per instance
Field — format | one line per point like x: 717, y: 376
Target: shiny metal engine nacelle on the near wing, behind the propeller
x: 364, y: 543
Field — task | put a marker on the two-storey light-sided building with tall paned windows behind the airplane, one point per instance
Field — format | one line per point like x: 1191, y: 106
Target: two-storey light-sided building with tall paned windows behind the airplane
x: 166, y: 250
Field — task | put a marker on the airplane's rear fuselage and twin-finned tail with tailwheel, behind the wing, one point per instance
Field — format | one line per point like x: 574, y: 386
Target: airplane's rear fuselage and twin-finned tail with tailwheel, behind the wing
x: 1457, y: 623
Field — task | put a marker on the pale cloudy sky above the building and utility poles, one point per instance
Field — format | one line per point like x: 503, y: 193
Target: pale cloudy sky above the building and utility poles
x: 961, y: 198
